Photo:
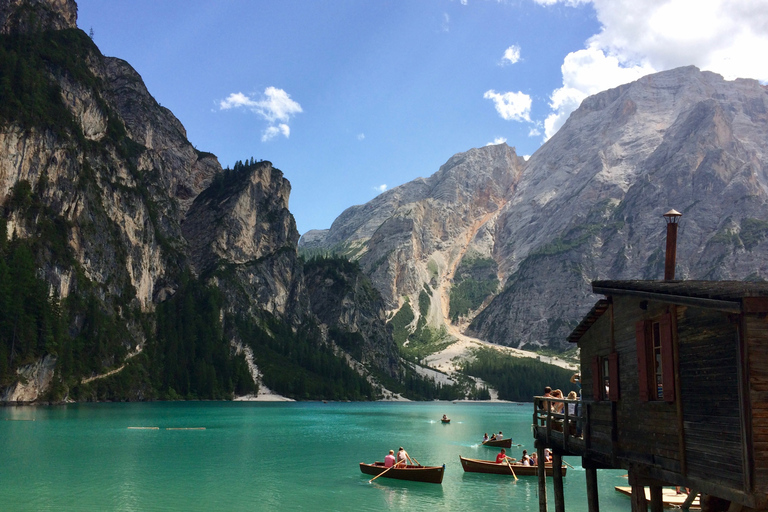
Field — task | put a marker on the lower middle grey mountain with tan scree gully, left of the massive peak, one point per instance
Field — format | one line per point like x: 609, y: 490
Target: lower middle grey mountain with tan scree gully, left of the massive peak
x: 427, y: 223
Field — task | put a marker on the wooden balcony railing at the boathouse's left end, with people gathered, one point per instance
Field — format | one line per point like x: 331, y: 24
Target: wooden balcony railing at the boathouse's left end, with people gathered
x: 560, y: 422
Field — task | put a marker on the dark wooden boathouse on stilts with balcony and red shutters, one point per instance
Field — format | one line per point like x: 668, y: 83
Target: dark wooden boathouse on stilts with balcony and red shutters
x: 674, y: 379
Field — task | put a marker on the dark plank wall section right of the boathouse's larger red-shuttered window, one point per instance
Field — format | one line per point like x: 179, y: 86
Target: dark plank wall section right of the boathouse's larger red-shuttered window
x: 708, y: 348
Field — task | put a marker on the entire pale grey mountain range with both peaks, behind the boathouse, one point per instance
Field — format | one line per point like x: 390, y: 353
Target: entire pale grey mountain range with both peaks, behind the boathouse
x: 587, y: 205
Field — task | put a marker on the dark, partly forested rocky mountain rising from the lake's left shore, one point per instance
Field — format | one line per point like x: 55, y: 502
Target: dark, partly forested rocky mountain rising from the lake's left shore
x: 132, y: 266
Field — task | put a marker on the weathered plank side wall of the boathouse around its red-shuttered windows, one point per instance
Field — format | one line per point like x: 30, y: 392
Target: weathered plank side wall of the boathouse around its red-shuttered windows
x: 647, y: 432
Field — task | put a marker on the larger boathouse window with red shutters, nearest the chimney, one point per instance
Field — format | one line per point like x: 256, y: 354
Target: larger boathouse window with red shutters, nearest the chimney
x: 655, y: 360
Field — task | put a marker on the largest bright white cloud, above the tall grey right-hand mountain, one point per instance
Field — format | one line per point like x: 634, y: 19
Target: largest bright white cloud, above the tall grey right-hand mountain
x: 637, y: 38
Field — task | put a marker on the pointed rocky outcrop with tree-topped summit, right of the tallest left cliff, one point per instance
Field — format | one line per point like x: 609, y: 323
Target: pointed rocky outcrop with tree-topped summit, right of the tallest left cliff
x: 241, y: 223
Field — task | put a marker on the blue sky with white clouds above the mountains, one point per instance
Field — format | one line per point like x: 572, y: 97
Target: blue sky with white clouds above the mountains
x: 352, y: 97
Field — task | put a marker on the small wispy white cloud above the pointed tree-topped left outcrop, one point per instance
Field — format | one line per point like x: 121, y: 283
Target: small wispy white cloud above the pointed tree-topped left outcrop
x: 275, y: 106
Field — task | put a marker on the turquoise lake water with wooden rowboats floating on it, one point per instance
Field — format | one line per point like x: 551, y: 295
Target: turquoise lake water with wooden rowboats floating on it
x: 266, y: 456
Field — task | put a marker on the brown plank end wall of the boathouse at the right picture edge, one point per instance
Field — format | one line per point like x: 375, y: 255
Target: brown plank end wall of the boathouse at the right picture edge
x: 756, y: 337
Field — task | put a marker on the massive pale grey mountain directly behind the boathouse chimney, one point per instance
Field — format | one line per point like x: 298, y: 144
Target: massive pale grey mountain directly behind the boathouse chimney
x: 590, y: 202
